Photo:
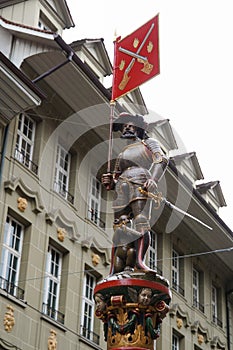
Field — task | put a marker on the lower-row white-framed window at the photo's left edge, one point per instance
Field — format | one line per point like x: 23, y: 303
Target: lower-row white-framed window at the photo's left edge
x: 11, y: 257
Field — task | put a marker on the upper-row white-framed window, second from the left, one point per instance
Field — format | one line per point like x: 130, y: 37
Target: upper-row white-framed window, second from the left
x: 62, y: 172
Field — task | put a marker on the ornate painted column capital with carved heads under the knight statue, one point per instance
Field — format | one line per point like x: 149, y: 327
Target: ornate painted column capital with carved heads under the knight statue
x: 132, y: 306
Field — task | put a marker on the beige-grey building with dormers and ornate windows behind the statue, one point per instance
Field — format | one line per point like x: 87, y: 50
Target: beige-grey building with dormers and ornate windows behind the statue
x: 56, y: 218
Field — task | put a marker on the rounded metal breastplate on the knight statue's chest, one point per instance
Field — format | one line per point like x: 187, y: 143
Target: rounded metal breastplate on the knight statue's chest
x: 137, y: 155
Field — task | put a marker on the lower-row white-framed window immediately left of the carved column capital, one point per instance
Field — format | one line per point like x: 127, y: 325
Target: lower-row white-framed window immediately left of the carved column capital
x: 87, y: 321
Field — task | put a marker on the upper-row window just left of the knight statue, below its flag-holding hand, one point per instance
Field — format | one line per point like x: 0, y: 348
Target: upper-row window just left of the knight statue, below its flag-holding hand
x: 95, y: 202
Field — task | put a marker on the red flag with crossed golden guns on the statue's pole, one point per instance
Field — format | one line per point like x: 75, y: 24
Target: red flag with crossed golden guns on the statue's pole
x: 136, y: 58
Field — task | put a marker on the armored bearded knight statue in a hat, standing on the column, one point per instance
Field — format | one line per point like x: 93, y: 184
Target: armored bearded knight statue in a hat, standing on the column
x: 138, y: 168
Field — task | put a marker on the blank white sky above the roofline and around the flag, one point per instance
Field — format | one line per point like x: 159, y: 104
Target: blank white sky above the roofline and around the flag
x: 194, y: 88
